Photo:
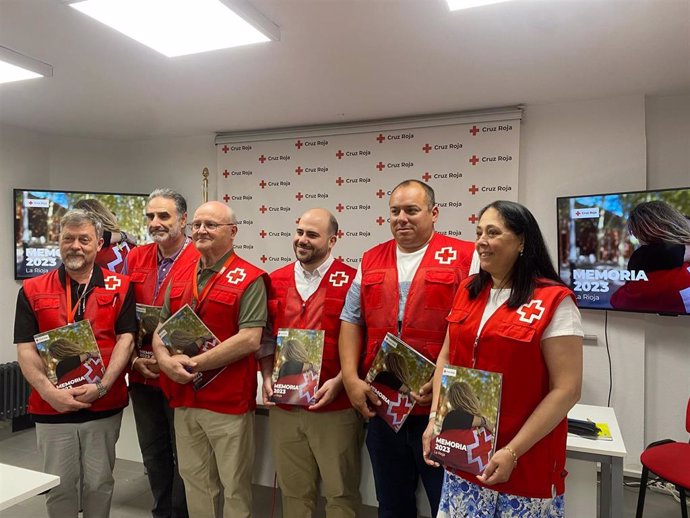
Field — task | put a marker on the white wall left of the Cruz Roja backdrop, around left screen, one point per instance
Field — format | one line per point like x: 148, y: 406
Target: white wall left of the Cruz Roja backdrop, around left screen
x: 34, y: 160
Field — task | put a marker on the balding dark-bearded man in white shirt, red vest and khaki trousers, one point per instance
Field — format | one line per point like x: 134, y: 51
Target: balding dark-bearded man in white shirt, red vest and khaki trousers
x: 325, y: 438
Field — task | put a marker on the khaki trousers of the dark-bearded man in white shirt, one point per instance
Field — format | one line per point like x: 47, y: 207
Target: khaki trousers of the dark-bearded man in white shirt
x: 308, y: 444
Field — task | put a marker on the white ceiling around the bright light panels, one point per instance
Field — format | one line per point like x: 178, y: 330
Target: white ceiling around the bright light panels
x: 342, y: 60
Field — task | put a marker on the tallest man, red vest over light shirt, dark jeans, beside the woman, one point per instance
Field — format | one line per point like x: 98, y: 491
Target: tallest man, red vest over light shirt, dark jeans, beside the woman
x: 404, y: 286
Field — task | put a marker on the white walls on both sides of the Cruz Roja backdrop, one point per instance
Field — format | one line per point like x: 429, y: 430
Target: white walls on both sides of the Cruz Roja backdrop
x: 568, y: 148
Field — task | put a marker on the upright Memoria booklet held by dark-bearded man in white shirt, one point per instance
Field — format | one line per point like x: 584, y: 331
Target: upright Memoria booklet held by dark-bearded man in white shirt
x: 297, y: 366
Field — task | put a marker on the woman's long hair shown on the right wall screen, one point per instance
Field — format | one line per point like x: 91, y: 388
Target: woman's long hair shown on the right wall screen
x: 656, y: 222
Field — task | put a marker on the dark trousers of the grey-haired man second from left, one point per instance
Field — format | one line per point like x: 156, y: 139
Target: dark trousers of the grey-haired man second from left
x: 154, y: 420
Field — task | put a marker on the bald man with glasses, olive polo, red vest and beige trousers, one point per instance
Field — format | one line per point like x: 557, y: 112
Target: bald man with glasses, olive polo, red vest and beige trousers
x: 214, y: 426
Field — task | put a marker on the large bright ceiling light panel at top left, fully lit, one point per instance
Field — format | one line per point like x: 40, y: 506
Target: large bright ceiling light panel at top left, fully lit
x: 175, y: 27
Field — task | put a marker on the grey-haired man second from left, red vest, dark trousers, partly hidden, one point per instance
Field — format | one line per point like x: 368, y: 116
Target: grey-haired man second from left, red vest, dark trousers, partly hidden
x: 150, y: 268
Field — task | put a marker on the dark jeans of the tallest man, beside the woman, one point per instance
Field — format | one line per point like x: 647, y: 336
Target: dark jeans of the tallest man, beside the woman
x: 397, y: 463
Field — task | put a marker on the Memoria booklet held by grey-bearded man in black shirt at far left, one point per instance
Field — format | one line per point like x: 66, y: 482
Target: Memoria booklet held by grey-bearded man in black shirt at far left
x: 70, y: 354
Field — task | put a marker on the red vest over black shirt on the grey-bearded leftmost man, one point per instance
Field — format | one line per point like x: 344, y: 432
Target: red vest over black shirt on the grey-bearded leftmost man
x: 47, y: 299
